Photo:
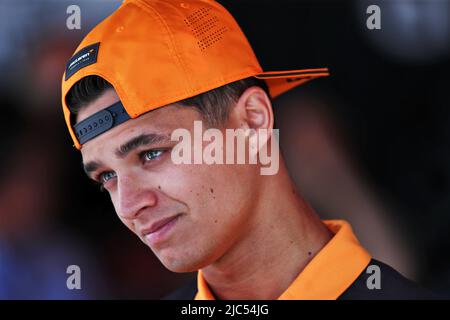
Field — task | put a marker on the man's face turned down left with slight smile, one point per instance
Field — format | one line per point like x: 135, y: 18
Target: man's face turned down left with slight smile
x: 203, y: 209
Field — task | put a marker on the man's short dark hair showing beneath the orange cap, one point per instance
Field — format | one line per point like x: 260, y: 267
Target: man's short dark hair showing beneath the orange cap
x: 214, y: 105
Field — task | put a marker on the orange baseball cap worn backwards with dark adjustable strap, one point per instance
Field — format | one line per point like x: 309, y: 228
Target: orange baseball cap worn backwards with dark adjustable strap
x: 157, y: 52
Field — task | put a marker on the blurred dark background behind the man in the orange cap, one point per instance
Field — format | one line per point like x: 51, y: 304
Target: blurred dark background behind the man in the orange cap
x: 369, y: 144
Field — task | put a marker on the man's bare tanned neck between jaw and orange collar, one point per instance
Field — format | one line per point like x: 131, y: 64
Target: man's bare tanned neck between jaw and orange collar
x: 283, y: 236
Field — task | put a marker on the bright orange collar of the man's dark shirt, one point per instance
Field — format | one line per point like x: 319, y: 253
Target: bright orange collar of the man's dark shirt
x: 332, y: 270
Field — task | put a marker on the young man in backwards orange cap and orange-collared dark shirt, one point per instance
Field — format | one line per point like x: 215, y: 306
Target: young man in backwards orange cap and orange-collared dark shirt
x: 155, y: 67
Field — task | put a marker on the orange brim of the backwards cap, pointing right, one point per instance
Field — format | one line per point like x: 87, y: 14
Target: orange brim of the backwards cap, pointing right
x: 282, y: 81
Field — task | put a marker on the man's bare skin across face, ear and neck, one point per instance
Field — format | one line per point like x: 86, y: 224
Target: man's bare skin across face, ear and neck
x: 248, y: 233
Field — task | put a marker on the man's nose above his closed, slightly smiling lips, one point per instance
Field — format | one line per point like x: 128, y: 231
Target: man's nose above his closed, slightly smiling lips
x: 133, y: 195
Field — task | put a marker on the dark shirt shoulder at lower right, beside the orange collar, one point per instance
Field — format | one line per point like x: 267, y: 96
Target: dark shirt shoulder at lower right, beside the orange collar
x: 391, y: 285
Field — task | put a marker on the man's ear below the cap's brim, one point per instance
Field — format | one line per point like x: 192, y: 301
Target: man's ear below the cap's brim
x: 253, y: 110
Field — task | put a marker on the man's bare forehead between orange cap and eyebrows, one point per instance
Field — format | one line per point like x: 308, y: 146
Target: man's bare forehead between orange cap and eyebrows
x: 161, y: 121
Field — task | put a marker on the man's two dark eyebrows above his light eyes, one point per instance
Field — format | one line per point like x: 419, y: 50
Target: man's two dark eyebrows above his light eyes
x: 145, y: 139
